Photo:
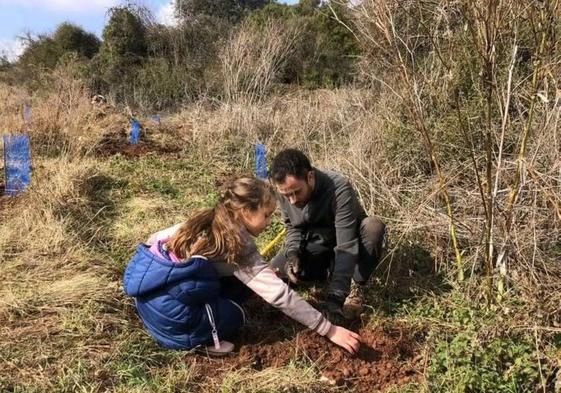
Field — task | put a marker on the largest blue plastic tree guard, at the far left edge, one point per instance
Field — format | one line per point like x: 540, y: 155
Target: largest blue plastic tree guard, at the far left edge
x: 17, y: 163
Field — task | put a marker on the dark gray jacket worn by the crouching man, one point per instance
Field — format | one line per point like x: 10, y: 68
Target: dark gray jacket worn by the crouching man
x: 332, y: 218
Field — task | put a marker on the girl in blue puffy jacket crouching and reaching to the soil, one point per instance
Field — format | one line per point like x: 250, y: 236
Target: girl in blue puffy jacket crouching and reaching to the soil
x: 188, y: 281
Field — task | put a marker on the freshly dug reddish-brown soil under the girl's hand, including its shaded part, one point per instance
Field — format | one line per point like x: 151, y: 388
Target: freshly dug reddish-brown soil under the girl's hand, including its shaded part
x: 387, y: 356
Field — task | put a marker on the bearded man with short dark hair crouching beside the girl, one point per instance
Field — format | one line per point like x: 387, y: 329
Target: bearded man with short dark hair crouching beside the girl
x: 329, y: 234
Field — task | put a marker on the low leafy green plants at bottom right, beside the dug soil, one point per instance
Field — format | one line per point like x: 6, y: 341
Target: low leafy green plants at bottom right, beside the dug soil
x: 474, y: 350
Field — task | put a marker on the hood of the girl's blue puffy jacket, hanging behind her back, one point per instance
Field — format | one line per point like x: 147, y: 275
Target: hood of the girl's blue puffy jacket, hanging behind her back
x: 148, y: 273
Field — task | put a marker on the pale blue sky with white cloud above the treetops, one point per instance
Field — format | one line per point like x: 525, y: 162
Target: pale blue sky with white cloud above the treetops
x: 19, y: 17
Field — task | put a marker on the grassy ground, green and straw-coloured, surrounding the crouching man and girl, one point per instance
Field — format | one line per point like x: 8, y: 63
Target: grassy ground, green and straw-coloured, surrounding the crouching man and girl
x: 67, y: 327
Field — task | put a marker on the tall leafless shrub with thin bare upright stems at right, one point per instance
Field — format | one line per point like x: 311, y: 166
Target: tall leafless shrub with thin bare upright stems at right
x: 455, y: 68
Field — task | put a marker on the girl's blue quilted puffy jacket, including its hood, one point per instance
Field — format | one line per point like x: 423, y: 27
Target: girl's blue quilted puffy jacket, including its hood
x: 179, y: 302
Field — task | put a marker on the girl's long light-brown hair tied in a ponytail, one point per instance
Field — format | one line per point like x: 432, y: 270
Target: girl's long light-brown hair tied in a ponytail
x: 217, y: 232
